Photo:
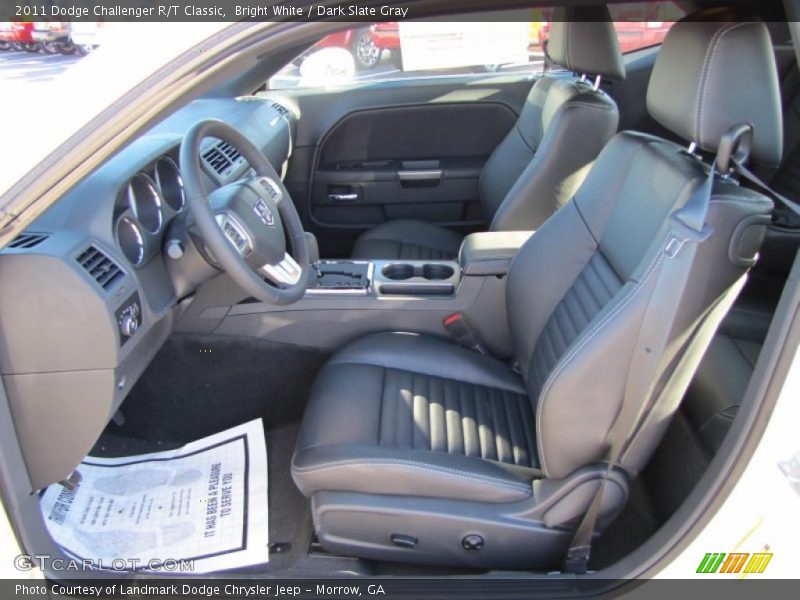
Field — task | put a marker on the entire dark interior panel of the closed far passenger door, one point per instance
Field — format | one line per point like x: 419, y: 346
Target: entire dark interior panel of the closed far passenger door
x: 403, y: 149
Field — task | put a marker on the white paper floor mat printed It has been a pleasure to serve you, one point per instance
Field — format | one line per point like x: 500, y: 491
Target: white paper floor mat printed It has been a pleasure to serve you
x: 197, y: 508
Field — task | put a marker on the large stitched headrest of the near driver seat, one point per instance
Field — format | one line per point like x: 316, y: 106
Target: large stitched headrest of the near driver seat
x: 711, y: 75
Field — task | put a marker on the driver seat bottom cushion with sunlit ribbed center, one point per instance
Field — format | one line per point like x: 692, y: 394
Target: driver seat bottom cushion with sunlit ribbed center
x: 396, y: 413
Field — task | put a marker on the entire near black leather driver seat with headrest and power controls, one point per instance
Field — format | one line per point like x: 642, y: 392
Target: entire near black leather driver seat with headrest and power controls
x: 415, y: 449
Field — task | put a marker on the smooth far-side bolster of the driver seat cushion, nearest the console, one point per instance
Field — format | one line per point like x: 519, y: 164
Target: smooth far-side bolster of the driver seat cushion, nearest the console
x: 428, y: 355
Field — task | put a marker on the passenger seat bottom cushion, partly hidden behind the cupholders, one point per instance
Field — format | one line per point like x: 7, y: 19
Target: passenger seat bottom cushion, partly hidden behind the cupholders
x: 408, y: 239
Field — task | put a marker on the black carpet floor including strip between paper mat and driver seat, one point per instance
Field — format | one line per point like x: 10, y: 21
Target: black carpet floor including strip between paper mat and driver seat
x: 198, y: 386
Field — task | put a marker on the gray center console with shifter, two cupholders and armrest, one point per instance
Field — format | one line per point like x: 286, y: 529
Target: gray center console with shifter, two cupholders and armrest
x: 347, y: 299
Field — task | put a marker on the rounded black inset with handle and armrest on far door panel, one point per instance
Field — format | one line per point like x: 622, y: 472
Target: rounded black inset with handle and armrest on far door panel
x: 419, y: 162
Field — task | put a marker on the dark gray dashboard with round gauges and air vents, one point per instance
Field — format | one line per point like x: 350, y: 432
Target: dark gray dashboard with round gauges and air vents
x: 88, y: 295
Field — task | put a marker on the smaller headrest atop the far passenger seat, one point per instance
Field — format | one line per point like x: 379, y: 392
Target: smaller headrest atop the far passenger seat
x: 583, y: 39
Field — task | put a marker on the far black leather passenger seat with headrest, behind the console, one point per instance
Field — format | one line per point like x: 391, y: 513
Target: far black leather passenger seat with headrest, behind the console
x: 544, y: 158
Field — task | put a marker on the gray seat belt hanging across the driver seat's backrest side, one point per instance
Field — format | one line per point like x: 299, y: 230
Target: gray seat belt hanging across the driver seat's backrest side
x: 688, y: 231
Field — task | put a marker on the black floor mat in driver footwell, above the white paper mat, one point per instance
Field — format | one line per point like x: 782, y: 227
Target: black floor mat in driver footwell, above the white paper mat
x: 198, y: 385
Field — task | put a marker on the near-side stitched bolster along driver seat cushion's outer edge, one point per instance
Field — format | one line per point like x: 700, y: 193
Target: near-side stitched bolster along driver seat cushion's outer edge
x: 374, y: 469
